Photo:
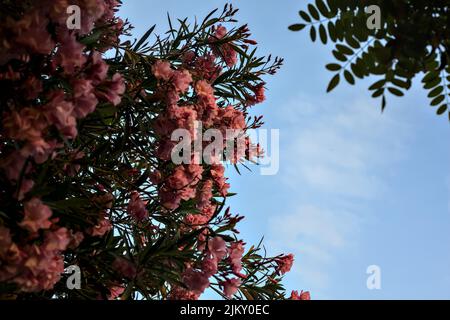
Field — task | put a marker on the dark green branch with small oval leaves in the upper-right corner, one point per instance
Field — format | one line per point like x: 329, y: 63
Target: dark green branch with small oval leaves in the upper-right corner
x: 414, y: 39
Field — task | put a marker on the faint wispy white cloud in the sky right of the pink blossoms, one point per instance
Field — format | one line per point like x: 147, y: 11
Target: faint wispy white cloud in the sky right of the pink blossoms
x: 340, y: 155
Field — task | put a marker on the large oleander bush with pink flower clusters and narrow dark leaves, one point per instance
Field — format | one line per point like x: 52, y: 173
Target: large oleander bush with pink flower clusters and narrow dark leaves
x: 86, y: 170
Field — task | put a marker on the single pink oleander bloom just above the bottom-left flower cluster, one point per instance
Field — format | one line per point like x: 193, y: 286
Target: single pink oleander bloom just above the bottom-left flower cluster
x: 36, y: 216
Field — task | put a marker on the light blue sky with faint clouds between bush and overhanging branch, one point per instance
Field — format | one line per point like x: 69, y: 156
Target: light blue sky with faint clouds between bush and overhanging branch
x: 355, y: 187
